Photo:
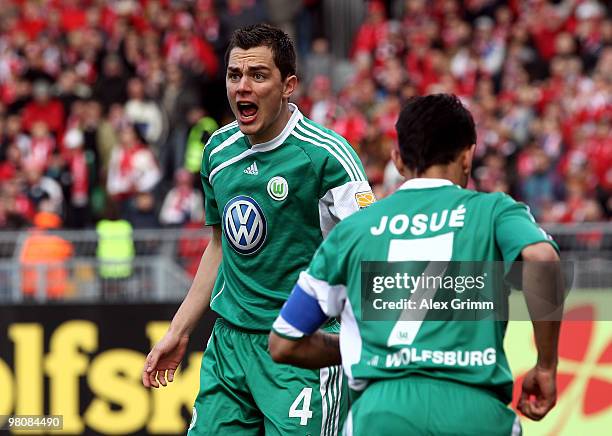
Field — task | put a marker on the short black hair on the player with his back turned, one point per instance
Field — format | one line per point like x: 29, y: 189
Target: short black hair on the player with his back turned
x: 433, y: 130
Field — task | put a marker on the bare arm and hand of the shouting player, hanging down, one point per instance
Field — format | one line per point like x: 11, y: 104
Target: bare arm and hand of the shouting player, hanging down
x: 167, y: 354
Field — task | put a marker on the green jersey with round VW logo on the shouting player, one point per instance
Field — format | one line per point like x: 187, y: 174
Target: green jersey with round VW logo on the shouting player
x: 275, y: 202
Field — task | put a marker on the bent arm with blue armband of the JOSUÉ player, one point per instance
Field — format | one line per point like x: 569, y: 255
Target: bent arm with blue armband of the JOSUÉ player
x: 301, y: 343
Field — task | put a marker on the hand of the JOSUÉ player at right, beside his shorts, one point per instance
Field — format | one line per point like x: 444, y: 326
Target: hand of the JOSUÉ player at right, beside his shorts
x: 539, y: 393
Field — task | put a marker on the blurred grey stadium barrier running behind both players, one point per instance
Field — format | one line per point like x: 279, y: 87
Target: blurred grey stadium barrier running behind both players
x: 166, y: 259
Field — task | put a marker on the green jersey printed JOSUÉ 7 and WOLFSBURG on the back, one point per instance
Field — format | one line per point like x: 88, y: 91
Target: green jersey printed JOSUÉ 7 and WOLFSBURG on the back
x: 425, y: 220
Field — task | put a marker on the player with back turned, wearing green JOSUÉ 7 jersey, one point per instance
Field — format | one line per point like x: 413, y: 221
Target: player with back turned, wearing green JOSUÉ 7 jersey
x: 459, y: 383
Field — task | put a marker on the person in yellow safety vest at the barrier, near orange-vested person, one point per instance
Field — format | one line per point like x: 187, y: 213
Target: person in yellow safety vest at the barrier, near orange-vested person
x: 115, y: 254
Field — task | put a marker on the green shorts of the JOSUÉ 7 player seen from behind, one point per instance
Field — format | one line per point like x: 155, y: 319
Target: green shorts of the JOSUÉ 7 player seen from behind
x: 419, y: 405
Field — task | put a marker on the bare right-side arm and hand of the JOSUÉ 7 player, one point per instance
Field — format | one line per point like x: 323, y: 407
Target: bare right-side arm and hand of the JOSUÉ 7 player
x: 543, y: 291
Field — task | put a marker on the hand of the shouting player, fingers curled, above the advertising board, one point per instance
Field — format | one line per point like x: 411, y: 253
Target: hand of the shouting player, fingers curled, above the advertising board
x: 166, y: 355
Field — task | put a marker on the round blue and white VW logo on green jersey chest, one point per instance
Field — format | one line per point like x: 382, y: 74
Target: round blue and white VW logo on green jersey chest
x: 245, y: 224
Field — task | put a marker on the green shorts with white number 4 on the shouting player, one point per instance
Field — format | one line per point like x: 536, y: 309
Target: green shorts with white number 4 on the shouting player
x: 244, y: 392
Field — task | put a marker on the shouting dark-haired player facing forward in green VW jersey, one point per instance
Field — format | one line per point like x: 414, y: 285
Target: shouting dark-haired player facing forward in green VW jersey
x: 275, y: 184
